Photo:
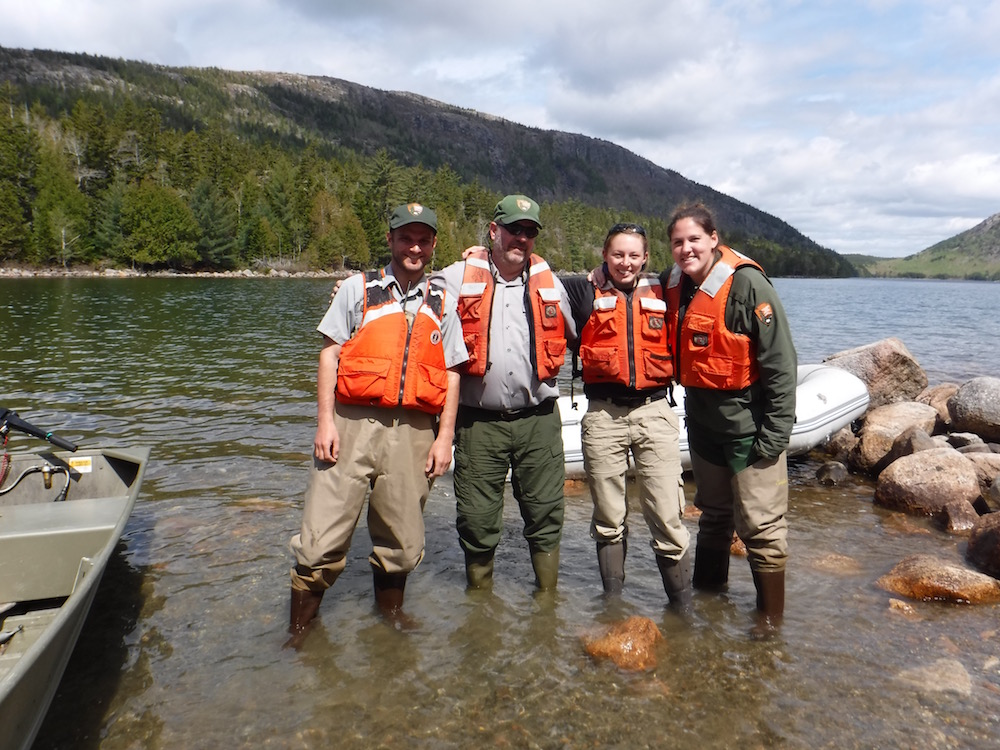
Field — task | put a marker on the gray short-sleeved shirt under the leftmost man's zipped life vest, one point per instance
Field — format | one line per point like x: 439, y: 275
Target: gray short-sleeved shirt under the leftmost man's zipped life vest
x: 345, y: 313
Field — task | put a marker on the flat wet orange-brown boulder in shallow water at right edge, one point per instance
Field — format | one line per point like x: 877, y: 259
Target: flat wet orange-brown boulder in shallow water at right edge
x: 928, y: 578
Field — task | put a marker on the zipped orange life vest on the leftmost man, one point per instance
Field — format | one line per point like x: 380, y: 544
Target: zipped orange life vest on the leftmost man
x: 388, y: 362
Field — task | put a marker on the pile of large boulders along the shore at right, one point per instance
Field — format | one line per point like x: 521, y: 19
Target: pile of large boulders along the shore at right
x: 933, y: 452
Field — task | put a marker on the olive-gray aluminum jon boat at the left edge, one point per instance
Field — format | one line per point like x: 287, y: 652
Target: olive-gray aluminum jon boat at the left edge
x: 61, y: 516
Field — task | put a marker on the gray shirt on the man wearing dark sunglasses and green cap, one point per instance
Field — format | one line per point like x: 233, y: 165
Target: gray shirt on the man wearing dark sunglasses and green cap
x: 510, y: 381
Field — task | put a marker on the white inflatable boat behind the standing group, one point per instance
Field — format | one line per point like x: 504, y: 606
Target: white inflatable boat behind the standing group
x: 827, y: 398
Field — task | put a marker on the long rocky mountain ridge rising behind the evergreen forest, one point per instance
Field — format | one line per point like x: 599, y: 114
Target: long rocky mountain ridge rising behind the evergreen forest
x: 347, y: 122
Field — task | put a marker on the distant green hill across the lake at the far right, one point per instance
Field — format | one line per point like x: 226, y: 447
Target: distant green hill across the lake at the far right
x: 974, y: 254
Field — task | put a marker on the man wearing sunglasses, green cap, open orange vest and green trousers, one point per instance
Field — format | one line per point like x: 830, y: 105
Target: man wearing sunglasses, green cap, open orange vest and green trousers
x: 515, y: 318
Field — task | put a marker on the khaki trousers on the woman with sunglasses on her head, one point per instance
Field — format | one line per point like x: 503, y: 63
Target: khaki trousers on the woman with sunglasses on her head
x: 651, y: 434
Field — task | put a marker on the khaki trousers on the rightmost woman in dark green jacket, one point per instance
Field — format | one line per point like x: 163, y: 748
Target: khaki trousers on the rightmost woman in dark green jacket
x: 753, y: 502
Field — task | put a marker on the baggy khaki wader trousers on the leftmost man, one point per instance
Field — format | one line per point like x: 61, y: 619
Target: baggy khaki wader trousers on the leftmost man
x: 383, y: 453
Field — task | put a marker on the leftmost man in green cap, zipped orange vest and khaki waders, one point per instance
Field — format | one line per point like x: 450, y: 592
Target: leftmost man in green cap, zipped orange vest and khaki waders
x: 387, y: 398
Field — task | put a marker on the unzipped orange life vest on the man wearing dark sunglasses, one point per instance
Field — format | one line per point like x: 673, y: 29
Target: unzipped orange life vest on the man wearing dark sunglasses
x: 546, y: 324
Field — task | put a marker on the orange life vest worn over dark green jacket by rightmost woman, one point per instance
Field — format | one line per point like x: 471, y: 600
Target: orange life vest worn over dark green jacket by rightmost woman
x: 708, y: 354
